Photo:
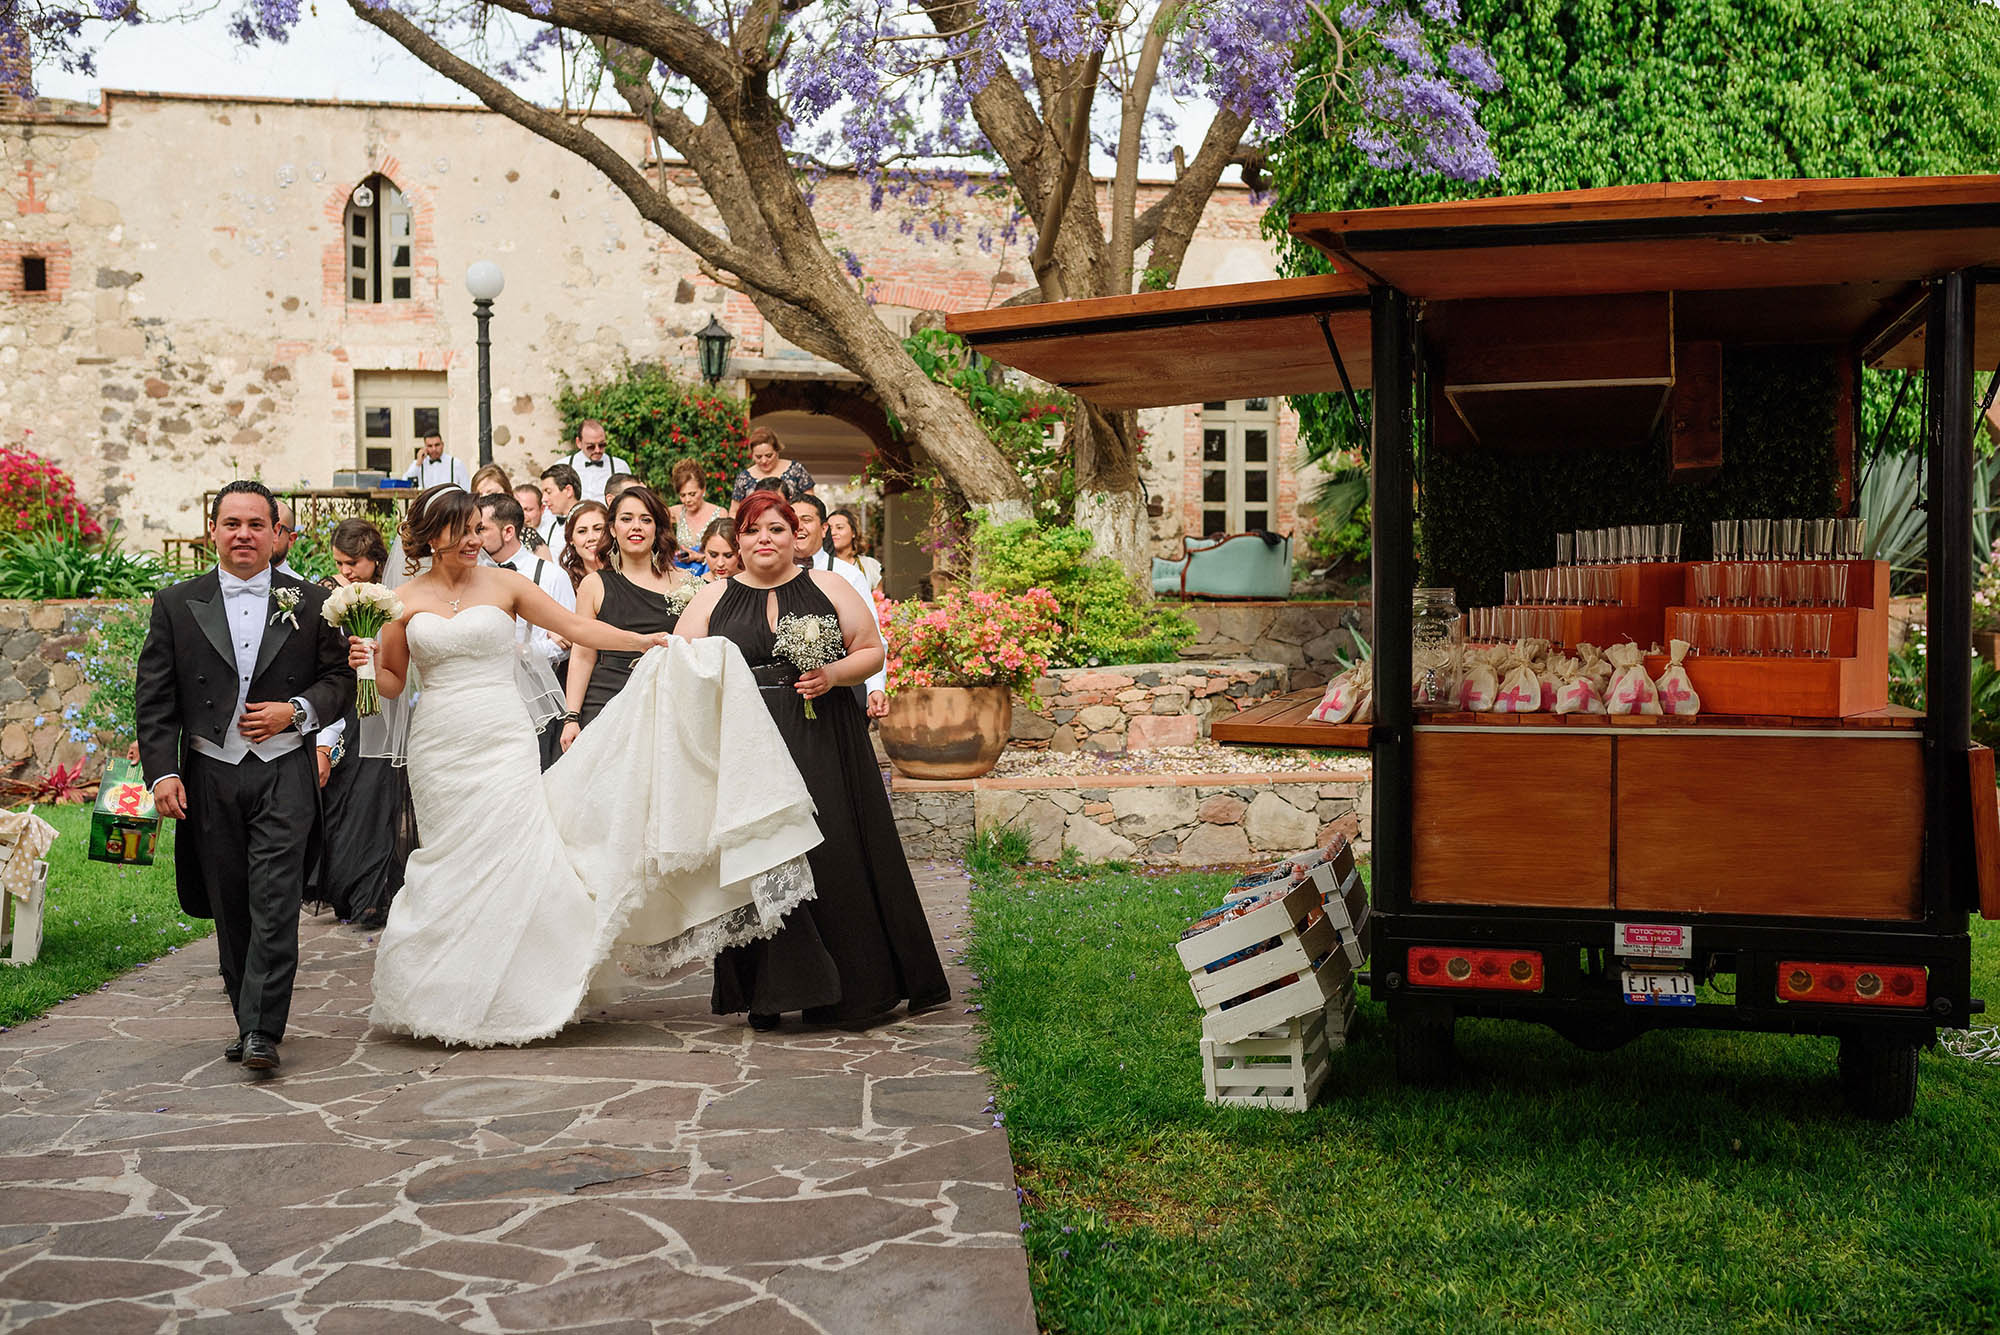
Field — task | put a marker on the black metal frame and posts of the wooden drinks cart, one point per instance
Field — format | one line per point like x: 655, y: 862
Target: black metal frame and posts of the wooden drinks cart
x: 1581, y: 980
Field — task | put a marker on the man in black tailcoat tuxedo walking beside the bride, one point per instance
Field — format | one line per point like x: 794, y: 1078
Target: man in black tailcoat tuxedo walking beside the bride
x: 237, y: 674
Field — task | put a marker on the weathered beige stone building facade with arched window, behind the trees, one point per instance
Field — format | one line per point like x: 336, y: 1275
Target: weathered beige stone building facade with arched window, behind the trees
x: 211, y: 287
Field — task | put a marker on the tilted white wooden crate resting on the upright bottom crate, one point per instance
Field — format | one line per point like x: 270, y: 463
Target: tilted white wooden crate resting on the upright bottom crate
x: 1227, y: 1014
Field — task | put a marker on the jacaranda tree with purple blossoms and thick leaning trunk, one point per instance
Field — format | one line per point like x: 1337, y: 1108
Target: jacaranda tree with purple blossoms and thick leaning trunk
x: 933, y: 103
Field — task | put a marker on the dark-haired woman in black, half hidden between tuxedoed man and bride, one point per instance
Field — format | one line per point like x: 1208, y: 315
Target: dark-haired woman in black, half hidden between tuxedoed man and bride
x: 371, y: 824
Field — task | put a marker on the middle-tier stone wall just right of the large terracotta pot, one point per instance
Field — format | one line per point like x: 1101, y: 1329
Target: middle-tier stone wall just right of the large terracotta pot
x: 1139, y: 706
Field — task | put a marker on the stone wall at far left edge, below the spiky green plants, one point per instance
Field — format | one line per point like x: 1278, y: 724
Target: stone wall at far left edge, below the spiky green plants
x: 41, y: 686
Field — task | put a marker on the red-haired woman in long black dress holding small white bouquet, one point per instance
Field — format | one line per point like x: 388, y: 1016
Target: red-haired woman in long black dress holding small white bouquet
x: 863, y: 944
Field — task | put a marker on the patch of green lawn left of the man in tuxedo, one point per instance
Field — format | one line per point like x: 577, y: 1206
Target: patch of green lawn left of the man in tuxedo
x: 101, y: 920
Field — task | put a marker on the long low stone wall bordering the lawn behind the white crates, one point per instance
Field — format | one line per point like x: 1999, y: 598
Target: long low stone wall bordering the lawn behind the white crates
x: 1191, y: 820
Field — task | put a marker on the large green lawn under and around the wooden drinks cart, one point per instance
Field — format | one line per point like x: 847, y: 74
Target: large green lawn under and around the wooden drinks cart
x: 1689, y: 1182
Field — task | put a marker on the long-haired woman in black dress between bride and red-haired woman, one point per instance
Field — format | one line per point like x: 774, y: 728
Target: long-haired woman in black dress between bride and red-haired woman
x: 629, y: 591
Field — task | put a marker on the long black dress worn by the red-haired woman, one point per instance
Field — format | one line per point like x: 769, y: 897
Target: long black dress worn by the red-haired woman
x: 863, y: 944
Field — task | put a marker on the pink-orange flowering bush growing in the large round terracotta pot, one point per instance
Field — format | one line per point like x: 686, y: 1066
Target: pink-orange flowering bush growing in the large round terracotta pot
x: 969, y: 641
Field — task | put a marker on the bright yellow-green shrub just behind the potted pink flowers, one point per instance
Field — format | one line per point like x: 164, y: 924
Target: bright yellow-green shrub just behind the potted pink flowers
x: 1105, y: 617
